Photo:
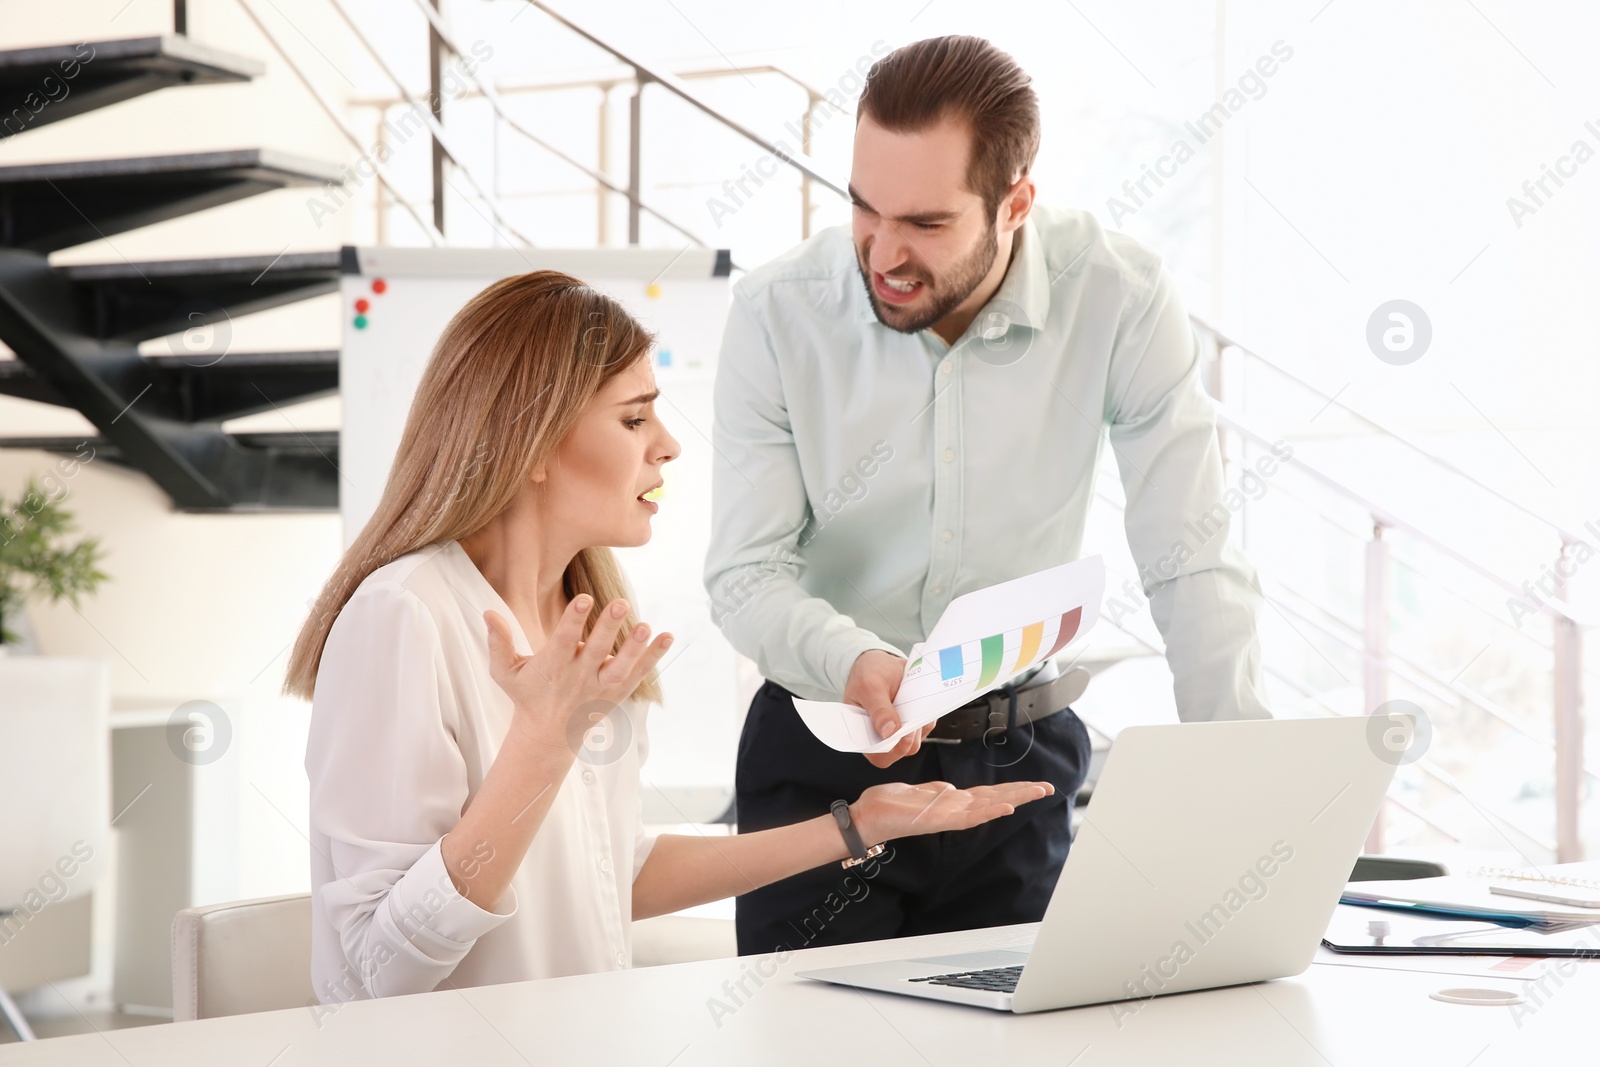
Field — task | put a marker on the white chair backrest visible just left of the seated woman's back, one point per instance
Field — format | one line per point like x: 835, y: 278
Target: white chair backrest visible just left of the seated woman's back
x: 241, y: 957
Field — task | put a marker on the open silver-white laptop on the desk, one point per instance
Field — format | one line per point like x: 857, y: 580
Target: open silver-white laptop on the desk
x: 1210, y: 855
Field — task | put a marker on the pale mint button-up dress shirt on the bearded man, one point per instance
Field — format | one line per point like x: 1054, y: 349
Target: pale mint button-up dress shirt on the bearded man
x: 866, y: 478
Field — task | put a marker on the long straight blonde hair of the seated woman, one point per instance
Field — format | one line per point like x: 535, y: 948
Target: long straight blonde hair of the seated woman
x: 505, y: 386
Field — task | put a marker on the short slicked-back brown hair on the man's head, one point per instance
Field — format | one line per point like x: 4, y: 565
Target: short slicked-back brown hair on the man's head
x: 972, y: 81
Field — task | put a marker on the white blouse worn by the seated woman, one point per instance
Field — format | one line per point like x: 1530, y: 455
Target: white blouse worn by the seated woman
x: 406, y: 724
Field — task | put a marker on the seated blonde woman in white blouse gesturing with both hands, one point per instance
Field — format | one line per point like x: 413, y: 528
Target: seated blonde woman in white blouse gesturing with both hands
x: 474, y: 634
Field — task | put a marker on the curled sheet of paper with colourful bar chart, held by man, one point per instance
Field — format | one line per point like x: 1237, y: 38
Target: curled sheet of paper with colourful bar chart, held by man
x: 983, y: 641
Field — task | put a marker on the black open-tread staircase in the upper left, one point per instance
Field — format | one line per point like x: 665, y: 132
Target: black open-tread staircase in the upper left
x: 78, y: 330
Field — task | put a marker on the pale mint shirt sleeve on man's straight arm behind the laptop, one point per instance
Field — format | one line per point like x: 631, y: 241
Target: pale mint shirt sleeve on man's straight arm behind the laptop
x: 1202, y: 589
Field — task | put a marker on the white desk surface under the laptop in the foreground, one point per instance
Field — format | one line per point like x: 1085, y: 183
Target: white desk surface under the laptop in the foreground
x: 660, y: 1017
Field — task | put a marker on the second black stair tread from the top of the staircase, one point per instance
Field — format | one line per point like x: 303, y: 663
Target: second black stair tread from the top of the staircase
x: 47, y: 207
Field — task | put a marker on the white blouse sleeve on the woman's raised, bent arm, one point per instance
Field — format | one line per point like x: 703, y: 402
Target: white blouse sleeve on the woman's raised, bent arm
x: 388, y: 783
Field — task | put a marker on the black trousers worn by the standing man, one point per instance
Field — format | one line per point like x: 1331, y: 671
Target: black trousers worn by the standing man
x: 991, y: 876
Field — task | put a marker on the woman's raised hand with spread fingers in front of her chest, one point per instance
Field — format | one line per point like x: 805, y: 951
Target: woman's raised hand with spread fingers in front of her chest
x: 570, y: 677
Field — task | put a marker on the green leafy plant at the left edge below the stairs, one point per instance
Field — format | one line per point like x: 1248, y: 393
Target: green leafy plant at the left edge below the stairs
x: 38, y: 556
